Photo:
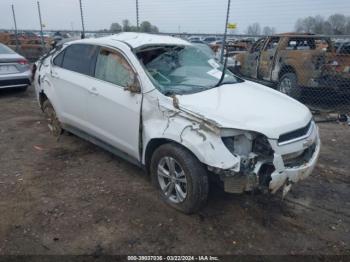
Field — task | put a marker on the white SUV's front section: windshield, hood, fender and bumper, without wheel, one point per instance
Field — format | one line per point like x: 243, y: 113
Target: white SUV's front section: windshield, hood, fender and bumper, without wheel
x: 231, y: 128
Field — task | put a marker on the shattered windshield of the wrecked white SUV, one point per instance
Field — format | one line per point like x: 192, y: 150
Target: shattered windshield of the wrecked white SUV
x: 183, y: 69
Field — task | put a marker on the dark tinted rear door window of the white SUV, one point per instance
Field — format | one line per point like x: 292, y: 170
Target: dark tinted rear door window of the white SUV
x: 80, y: 58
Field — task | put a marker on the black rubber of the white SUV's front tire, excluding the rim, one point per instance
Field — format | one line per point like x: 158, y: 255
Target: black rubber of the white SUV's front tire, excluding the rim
x: 196, y: 175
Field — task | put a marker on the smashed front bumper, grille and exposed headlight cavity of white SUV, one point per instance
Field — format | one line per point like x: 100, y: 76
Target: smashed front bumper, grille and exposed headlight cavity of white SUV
x: 270, y: 164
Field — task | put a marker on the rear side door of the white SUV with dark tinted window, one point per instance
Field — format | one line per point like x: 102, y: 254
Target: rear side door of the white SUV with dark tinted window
x: 71, y: 75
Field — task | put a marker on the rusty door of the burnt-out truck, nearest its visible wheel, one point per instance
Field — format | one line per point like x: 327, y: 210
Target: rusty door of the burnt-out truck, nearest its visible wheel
x: 267, y: 58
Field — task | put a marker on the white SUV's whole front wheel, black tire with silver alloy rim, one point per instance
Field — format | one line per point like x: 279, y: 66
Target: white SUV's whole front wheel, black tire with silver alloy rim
x: 181, y: 179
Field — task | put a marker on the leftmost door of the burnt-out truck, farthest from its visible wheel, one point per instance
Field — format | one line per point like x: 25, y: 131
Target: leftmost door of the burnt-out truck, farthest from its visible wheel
x: 252, y: 59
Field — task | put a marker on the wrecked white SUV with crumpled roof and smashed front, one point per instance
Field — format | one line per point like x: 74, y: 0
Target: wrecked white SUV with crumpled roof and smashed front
x: 155, y: 100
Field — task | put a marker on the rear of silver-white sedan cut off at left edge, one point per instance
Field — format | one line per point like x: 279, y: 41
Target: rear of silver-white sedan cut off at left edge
x: 15, y: 70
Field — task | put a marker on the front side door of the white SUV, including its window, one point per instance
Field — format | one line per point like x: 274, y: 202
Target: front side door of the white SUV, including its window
x: 113, y: 112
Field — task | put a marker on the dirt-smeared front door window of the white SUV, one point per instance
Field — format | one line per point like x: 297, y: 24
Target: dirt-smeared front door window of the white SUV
x: 112, y: 67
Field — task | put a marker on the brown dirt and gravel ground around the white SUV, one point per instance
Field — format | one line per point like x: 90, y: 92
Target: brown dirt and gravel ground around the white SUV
x: 71, y: 197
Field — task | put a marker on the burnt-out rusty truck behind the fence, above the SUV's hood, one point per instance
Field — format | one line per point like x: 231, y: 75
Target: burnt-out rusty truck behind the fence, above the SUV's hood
x: 288, y: 62
